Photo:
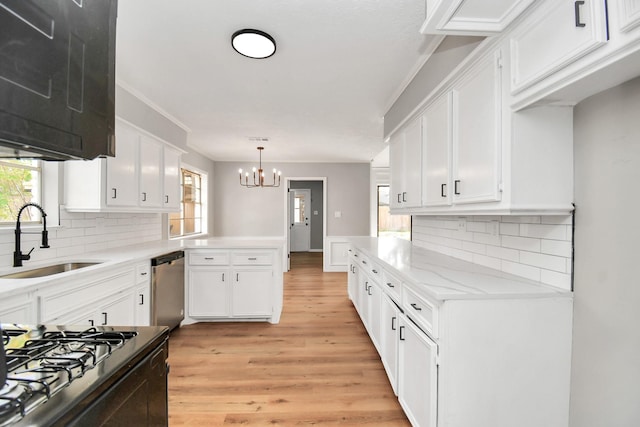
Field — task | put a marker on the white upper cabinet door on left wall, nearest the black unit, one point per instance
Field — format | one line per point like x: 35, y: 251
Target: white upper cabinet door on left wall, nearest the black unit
x: 122, y: 170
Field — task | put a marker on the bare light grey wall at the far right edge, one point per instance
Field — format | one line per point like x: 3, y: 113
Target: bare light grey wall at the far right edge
x: 605, y: 386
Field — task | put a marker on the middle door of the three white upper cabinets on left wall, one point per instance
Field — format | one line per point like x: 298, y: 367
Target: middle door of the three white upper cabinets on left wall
x: 150, y: 162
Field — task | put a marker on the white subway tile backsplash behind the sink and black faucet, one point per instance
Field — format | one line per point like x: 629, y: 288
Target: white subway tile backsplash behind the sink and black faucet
x: 79, y: 233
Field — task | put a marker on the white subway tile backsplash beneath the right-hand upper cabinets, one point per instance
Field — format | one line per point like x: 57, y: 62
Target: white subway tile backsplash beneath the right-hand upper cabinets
x: 534, y: 247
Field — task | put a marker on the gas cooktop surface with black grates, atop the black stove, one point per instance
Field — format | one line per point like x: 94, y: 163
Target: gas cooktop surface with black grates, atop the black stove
x: 69, y: 365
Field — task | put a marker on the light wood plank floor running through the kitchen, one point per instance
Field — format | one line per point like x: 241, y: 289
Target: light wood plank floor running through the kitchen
x: 316, y: 367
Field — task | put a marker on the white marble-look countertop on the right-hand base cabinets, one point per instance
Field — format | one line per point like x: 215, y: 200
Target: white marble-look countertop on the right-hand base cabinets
x: 442, y: 277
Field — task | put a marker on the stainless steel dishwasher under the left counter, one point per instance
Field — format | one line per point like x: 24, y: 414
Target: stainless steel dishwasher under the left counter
x: 167, y: 289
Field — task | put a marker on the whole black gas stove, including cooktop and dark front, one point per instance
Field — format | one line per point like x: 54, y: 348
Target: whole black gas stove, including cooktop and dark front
x: 73, y: 376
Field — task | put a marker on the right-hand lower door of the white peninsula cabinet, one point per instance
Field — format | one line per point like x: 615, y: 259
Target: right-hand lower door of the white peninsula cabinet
x: 251, y: 292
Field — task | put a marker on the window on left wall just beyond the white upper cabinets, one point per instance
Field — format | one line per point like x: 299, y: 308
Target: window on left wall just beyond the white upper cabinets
x: 189, y: 219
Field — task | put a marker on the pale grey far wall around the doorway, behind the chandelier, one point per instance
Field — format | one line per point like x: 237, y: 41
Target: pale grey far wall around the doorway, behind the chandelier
x: 240, y: 211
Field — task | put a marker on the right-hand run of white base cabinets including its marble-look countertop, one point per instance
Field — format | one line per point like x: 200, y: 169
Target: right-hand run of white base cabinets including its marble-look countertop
x: 465, y: 345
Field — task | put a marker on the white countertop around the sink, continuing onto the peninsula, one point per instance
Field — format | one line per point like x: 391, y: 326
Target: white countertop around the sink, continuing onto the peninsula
x: 121, y: 255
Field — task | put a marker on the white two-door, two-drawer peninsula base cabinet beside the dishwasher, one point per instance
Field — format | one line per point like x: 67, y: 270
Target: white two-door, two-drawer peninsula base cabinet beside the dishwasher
x: 231, y: 285
